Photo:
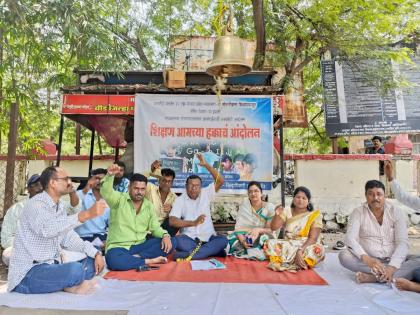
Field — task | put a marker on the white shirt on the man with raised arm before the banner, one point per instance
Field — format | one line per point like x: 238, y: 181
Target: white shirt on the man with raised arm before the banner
x: 189, y: 209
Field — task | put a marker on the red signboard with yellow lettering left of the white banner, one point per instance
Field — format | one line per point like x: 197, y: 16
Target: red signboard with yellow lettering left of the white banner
x: 98, y: 104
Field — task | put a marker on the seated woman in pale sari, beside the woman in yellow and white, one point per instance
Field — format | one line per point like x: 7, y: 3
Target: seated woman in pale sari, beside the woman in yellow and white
x: 252, y: 222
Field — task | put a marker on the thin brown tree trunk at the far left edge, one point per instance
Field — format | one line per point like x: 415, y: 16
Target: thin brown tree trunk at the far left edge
x: 11, y: 157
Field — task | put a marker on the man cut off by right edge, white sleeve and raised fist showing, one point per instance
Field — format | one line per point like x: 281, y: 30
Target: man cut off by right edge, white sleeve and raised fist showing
x: 414, y: 203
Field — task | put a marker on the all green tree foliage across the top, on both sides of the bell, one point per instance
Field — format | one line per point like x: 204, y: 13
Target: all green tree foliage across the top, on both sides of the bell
x: 43, y: 41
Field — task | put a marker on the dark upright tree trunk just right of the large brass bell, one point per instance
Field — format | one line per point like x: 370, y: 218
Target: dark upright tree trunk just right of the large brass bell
x: 258, y: 14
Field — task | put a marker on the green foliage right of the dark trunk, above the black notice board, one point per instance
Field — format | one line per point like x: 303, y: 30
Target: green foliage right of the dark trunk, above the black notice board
x: 355, y: 30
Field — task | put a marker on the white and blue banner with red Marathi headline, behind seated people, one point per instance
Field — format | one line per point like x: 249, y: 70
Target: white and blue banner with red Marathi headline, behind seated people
x: 233, y: 133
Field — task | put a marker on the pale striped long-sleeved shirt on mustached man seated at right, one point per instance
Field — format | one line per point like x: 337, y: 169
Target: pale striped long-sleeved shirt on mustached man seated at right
x: 365, y: 236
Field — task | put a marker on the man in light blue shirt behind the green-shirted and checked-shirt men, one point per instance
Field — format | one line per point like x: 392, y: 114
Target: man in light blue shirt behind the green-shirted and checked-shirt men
x: 94, y: 228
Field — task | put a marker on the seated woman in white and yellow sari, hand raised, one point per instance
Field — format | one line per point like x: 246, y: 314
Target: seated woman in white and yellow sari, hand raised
x: 301, y: 248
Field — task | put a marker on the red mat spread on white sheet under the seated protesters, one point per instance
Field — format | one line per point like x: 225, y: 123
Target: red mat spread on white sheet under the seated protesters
x: 237, y: 271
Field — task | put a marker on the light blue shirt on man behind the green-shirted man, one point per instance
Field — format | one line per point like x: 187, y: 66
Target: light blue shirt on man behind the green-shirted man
x: 93, y: 226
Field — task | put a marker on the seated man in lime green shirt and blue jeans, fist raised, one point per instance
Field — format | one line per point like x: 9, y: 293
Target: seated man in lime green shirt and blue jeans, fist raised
x: 132, y: 217
